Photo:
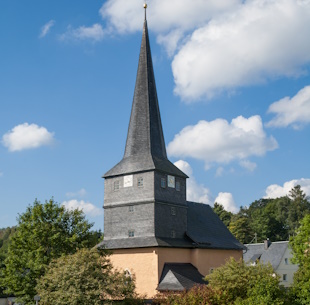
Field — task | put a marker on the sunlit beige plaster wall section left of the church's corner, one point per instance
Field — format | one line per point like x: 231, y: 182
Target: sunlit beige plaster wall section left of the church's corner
x: 143, y: 263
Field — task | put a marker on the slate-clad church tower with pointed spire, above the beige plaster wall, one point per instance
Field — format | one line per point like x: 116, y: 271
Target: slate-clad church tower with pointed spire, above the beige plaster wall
x: 145, y: 194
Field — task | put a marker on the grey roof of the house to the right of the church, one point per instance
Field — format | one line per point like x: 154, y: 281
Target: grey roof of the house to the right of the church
x: 272, y: 255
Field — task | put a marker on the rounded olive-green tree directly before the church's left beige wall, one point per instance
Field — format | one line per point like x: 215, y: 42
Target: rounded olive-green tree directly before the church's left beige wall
x: 86, y: 277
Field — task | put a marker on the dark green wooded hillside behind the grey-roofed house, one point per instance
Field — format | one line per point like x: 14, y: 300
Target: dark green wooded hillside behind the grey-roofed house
x: 276, y: 219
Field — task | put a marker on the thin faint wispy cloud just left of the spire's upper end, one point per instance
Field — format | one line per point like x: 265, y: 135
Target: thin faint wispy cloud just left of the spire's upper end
x: 94, y: 33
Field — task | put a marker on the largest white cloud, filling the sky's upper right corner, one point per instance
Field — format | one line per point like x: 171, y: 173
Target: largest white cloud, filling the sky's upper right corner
x: 258, y: 41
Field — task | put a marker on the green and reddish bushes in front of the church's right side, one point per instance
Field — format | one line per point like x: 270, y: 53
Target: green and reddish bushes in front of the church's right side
x: 234, y: 283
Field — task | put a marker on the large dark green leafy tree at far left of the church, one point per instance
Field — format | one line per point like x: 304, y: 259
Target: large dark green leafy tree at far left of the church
x: 44, y: 232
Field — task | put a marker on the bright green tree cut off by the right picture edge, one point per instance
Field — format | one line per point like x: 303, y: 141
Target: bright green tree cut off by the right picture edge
x: 300, y: 244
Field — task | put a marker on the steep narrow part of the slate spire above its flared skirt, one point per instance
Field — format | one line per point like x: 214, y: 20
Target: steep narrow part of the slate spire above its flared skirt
x: 145, y: 133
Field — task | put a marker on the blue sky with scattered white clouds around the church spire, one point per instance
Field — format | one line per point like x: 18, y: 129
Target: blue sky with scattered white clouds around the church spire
x: 233, y: 85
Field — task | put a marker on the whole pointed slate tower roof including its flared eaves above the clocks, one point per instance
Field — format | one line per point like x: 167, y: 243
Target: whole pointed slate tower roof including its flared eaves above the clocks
x: 145, y: 146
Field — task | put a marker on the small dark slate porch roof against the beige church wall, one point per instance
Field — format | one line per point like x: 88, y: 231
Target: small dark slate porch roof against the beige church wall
x: 179, y: 277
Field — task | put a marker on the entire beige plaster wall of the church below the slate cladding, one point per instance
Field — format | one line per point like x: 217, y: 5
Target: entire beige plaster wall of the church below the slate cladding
x: 147, y: 263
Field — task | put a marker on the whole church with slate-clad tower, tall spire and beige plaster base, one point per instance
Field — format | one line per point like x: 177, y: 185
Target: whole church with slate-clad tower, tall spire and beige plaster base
x: 155, y: 234
